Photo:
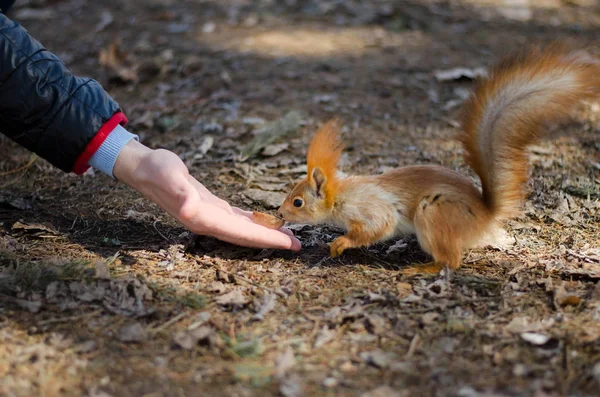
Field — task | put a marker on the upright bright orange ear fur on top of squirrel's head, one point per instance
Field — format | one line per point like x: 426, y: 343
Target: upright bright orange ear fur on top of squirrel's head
x: 324, y: 152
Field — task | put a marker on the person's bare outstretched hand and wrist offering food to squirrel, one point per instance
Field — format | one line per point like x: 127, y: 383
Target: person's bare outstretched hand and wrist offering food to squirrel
x: 162, y: 177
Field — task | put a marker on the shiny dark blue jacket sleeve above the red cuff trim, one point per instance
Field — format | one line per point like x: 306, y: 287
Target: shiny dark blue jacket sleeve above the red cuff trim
x: 43, y: 106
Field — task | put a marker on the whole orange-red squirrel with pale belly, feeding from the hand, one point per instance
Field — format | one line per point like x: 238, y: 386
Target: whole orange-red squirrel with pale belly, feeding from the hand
x: 505, y: 113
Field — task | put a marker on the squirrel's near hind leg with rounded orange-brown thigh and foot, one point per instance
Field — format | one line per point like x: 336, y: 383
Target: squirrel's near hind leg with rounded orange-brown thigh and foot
x: 445, y: 224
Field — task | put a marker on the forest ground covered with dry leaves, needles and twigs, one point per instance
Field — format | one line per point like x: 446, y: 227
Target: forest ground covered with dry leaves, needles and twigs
x: 104, y: 295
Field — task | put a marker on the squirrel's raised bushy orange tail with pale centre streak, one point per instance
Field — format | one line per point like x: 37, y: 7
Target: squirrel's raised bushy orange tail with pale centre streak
x: 508, y: 110
